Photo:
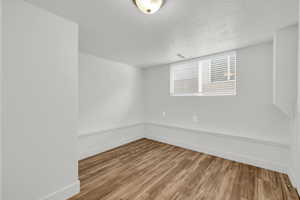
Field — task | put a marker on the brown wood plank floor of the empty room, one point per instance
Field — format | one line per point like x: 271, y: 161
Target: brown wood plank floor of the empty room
x: 151, y: 170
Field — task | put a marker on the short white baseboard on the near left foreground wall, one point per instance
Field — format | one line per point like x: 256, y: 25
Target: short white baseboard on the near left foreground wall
x: 64, y: 193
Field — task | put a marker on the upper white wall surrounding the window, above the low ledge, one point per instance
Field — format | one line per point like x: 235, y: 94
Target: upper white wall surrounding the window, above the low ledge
x: 250, y: 114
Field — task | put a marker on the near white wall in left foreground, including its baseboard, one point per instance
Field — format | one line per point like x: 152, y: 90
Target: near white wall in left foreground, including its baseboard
x: 40, y: 78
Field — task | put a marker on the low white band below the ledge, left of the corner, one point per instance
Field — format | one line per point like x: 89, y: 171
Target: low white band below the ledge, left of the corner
x: 98, y: 142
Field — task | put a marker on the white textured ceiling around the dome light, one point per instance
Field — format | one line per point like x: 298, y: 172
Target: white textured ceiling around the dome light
x: 116, y: 30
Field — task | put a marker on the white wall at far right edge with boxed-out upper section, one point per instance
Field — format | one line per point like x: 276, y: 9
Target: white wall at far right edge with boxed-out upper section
x: 285, y: 88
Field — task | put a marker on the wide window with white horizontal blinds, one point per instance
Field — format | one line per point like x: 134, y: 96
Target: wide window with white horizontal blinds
x: 209, y: 76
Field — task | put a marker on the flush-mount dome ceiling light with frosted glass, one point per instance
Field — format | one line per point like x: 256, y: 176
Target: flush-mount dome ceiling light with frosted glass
x: 149, y: 6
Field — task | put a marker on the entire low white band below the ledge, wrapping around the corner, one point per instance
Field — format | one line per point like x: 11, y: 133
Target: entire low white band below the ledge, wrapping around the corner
x: 265, y: 154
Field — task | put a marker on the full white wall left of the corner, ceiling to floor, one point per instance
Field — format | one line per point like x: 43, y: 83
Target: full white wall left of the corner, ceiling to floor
x: 110, y: 98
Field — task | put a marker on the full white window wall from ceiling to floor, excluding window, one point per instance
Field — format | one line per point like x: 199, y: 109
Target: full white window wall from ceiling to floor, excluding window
x: 246, y: 128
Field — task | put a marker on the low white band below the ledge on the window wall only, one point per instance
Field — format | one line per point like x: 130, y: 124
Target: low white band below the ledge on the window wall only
x: 261, y: 154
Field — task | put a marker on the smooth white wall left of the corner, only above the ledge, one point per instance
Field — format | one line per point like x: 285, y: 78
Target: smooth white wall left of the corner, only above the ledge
x: 110, y: 94
